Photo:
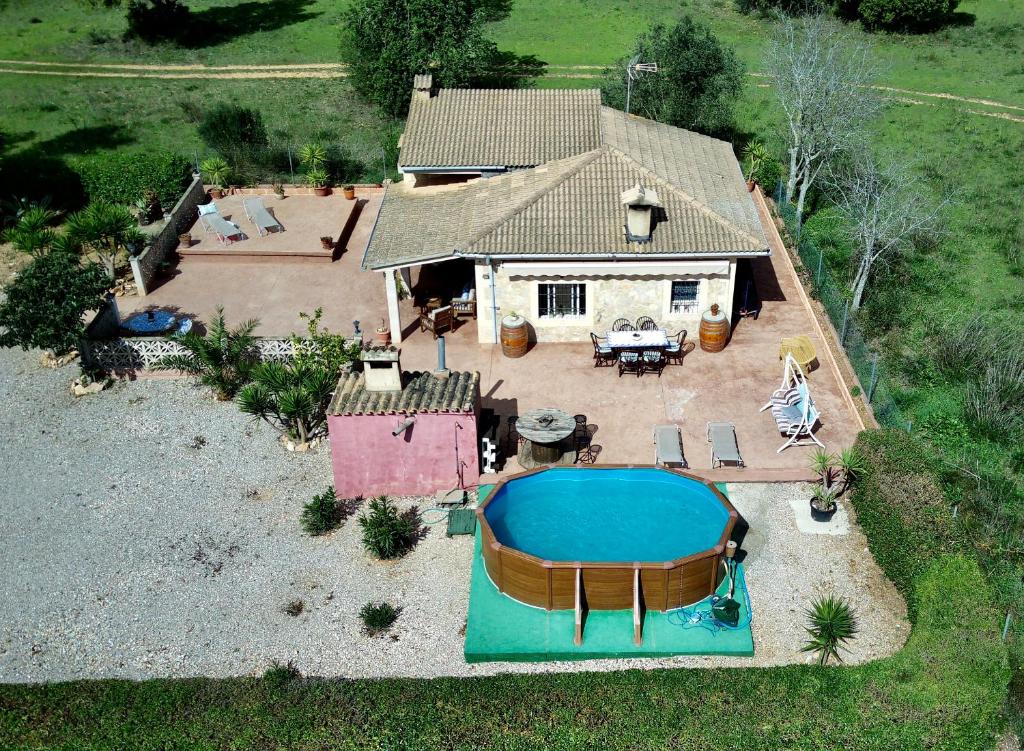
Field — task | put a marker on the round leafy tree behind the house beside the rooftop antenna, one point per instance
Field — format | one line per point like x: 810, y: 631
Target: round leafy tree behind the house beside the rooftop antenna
x: 698, y: 79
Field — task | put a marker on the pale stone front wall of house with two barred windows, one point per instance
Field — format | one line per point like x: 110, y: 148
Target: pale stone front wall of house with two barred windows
x: 609, y: 298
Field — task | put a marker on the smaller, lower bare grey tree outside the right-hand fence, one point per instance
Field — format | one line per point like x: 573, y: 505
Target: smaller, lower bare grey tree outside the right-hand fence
x: 886, y: 208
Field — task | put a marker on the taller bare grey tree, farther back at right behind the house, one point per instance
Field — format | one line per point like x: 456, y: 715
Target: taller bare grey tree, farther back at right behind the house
x: 823, y: 82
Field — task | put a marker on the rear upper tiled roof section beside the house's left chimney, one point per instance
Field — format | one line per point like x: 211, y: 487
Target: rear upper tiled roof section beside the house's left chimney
x: 500, y: 128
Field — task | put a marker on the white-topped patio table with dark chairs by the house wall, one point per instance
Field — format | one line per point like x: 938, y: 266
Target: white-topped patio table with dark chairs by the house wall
x: 639, y: 348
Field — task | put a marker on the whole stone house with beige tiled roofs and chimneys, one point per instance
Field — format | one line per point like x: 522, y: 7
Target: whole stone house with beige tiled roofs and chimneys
x: 572, y: 215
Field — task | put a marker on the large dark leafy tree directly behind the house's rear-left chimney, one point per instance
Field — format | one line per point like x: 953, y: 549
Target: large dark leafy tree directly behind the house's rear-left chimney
x: 388, y: 43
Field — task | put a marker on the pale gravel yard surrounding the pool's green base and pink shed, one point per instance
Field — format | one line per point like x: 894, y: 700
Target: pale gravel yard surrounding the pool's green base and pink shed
x: 150, y: 531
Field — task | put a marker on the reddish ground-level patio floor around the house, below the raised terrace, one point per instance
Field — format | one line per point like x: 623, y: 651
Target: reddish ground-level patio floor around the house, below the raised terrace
x: 731, y: 386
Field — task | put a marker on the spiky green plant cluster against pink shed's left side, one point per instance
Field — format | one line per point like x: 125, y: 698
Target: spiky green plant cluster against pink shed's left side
x: 292, y: 398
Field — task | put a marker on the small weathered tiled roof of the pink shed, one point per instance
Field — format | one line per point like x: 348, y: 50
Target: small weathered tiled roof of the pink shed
x: 422, y: 393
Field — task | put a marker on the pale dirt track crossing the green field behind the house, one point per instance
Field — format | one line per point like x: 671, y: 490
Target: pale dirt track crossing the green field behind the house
x: 337, y: 70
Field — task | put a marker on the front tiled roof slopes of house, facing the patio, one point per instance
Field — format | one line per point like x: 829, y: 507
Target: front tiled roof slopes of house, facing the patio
x: 570, y: 207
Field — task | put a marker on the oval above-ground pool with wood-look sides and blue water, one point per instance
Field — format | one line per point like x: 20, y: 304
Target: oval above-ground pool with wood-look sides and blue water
x: 614, y: 536
